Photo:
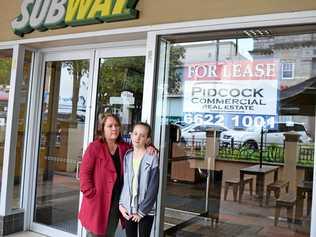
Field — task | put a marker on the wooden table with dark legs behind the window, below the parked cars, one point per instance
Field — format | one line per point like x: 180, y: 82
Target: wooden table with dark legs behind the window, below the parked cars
x: 260, y: 174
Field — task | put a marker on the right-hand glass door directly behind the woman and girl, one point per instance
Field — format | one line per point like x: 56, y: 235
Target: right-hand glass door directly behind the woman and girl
x: 120, y: 74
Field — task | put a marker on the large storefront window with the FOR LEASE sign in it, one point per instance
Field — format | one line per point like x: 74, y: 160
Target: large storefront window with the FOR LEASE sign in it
x: 237, y: 119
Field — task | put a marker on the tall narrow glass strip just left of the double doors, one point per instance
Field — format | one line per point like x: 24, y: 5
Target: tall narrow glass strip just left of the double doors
x: 23, y: 100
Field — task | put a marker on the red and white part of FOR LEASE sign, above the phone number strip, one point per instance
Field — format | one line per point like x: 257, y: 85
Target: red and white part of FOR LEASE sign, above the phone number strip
x: 244, y: 87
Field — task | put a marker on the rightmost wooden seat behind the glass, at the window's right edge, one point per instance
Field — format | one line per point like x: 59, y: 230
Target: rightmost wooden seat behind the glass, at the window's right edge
x: 303, y: 189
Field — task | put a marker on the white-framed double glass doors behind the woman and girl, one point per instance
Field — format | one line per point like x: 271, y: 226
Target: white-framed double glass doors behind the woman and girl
x: 77, y: 89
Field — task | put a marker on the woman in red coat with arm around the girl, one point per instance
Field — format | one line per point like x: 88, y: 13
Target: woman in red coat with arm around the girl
x: 101, y: 180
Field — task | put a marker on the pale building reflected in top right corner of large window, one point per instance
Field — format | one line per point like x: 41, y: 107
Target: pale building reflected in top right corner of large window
x: 298, y: 50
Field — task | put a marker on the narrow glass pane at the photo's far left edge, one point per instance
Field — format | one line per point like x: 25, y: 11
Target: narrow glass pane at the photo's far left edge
x: 5, y: 73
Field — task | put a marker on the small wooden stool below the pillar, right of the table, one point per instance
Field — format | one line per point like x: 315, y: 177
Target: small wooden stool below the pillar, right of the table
x: 286, y: 200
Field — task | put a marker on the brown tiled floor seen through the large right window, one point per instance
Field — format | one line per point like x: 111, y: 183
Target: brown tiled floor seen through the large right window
x: 236, y: 219
